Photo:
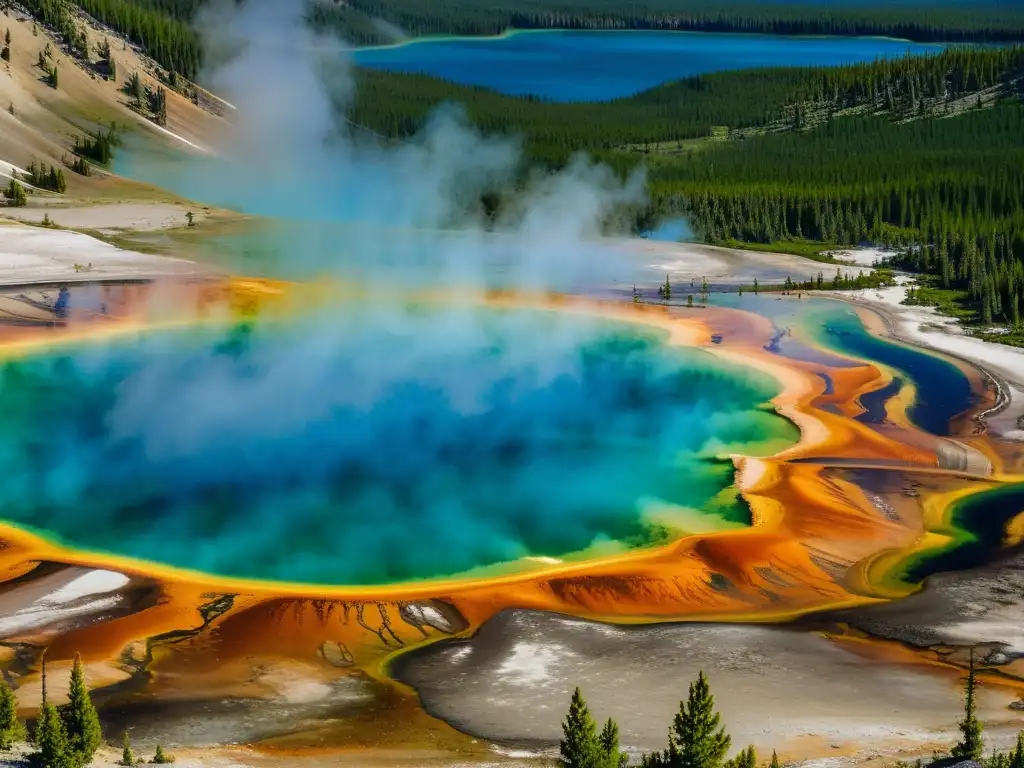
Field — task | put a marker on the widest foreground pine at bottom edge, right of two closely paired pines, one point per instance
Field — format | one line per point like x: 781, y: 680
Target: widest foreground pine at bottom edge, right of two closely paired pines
x: 696, y: 740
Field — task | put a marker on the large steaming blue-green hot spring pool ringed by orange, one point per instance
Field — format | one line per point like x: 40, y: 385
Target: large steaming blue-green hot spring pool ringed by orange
x: 360, y: 447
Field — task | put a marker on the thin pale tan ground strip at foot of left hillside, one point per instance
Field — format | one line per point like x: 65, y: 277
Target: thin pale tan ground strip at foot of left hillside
x: 109, y: 219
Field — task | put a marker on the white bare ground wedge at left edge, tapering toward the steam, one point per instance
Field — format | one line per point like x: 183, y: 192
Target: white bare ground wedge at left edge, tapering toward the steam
x: 33, y: 255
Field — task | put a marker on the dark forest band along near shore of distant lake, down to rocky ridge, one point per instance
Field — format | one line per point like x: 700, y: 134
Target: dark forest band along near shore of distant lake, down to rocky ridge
x: 399, y: 106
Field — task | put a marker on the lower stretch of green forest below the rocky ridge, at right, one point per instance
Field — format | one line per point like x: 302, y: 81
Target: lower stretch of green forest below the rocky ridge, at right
x: 948, y: 194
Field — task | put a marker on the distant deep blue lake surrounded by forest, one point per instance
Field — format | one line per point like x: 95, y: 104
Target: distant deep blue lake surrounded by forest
x: 601, y: 66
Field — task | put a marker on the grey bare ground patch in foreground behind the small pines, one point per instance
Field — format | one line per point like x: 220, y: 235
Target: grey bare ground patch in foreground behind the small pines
x: 777, y: 689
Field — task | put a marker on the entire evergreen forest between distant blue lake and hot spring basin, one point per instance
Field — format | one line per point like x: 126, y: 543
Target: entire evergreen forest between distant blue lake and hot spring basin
x: 923, y: 153
